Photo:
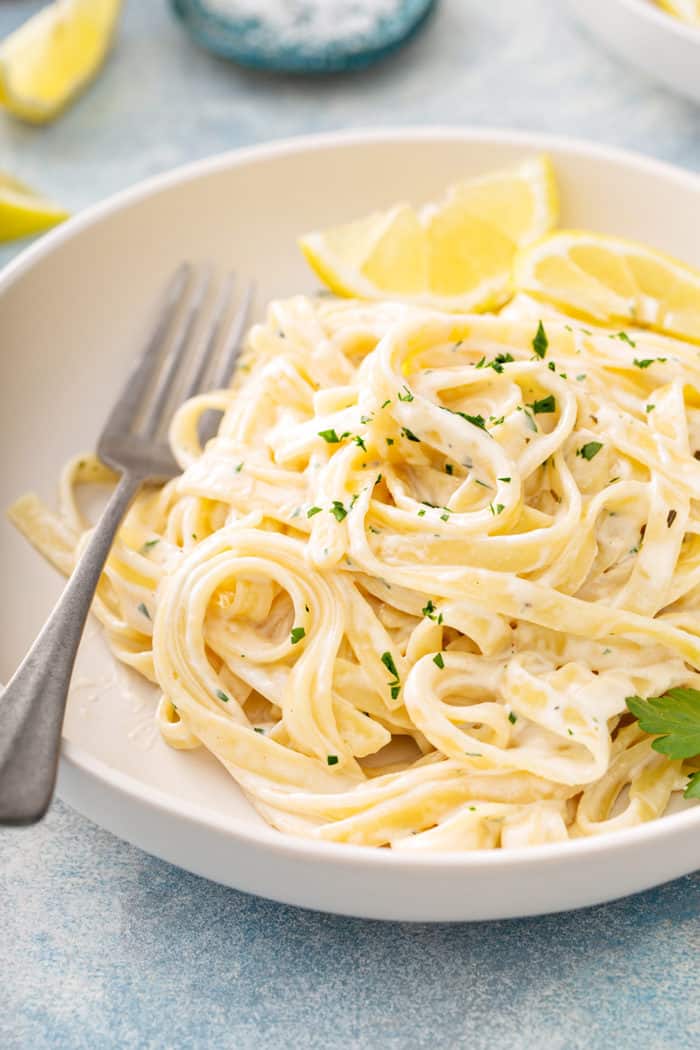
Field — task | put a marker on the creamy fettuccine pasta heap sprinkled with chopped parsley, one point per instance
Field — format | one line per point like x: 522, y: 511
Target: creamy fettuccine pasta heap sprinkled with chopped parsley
x: 404, y: 595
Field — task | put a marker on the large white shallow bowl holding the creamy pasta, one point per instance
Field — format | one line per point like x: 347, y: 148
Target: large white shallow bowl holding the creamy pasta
x: 73, y: 309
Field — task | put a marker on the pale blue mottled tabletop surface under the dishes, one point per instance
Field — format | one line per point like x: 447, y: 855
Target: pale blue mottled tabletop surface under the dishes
x: 102, y: 947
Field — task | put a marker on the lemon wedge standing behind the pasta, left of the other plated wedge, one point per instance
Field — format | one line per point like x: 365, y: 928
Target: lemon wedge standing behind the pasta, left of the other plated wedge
x: 456, y: 255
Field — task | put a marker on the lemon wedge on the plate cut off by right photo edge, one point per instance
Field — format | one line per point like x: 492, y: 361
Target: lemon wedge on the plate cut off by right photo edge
x: 612, y: 281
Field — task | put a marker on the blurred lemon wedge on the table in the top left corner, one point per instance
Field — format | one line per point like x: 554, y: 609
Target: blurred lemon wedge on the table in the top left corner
x: 54, y: 55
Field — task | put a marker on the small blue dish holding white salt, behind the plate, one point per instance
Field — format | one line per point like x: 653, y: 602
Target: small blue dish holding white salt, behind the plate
x: 251, y: 41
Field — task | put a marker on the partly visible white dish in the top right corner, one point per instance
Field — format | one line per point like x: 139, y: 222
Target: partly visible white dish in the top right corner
x: 651, y: 39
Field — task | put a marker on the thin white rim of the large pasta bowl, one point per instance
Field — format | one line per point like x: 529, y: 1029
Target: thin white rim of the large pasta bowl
x: 80, y: 762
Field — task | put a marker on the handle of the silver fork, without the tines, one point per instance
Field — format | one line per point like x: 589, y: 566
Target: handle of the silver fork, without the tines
x: 33, y: 705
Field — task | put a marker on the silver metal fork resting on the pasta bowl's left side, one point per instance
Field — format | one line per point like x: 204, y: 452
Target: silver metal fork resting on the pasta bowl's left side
x: 132, y: 444
